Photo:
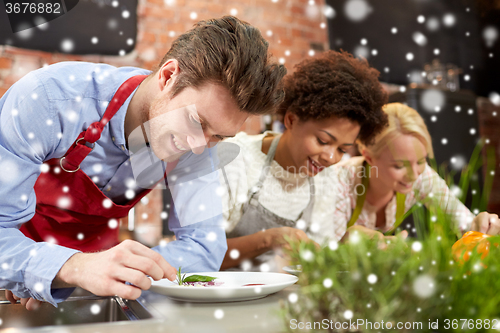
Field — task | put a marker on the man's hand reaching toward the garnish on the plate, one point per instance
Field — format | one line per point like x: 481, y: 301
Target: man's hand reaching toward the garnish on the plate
x: 105, y: 273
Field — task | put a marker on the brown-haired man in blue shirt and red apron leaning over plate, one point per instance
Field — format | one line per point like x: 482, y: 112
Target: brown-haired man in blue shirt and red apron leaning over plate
x: 66, y: 176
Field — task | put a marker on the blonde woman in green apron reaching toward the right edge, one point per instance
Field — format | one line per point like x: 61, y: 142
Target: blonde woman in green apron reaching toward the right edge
x: 392, y: 175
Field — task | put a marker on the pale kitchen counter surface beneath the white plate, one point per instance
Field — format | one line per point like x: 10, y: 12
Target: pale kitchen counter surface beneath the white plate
x: 261, y: 315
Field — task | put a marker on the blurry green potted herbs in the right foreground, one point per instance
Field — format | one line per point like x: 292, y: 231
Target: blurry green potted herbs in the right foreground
x: 407, y: 284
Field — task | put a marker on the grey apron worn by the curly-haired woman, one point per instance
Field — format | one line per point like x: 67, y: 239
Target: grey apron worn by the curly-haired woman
x: 256, y: 217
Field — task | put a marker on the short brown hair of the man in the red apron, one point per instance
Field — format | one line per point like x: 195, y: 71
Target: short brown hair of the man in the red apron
x: 231, y: 53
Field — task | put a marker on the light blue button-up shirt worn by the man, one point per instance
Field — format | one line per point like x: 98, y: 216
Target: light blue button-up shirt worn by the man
x: 40, y: 117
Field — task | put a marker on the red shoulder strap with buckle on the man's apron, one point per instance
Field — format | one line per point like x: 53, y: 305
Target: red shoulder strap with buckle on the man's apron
x: 80, y: 148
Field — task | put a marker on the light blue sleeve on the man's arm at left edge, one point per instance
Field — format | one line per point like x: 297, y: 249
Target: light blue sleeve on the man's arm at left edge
x: 27, y: 136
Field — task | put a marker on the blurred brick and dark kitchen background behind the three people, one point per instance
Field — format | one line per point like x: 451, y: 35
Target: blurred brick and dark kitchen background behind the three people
x: 439, y: 56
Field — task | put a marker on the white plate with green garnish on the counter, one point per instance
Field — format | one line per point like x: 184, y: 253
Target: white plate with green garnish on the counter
x: 232, y: 290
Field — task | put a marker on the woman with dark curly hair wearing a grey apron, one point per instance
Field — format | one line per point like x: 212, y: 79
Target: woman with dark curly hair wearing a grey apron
x: 281, y: 186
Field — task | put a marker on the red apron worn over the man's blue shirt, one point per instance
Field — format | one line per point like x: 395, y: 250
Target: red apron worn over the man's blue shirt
x: 70, y: 209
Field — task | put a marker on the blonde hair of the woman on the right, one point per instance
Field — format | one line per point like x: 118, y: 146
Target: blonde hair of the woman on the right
x: 403, y: 120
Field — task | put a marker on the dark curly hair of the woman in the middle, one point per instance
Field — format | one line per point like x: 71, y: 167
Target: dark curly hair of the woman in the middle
x: 335, y: 84
